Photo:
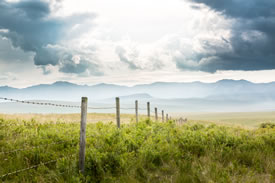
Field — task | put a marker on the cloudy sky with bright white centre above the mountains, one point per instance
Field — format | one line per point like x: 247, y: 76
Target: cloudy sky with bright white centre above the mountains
x: 136, y: 41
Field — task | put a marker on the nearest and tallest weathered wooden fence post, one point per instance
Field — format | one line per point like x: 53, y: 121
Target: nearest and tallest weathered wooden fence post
x: 82, y: 143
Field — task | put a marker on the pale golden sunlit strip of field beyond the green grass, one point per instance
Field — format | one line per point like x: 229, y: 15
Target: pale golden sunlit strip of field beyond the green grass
x: 244, y: 120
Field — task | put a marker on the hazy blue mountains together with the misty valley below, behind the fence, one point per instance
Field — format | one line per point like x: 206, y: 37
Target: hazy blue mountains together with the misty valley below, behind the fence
x: 223, y: 95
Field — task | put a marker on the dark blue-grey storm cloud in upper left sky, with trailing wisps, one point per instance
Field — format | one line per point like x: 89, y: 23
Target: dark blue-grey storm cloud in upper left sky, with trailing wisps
x: 31, y: 28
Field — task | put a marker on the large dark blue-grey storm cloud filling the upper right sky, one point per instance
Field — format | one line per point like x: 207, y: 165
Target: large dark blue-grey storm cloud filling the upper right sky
x: 252, y: 42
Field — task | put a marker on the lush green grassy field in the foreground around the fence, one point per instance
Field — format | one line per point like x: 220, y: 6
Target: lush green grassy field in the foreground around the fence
x: 144, y: 152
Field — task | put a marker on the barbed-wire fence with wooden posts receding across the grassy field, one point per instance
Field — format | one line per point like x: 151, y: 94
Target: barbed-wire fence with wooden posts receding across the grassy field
x: 82, y: 140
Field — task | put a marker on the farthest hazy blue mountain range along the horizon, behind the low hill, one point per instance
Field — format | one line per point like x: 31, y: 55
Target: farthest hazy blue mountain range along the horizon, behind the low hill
x: 72, y: 92
